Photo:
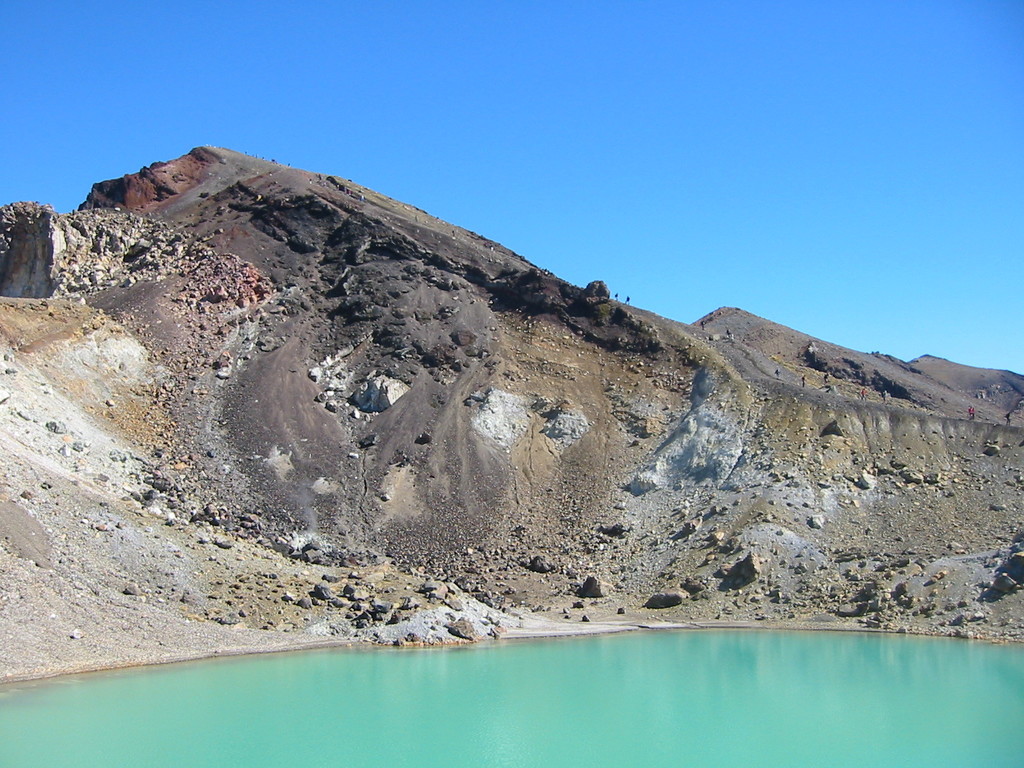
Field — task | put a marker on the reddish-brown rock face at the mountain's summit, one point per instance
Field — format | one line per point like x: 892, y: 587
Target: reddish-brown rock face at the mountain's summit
x: 153, y: 185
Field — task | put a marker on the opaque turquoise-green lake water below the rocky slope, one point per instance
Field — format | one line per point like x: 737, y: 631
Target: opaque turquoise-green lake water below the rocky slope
x: 668, y: 699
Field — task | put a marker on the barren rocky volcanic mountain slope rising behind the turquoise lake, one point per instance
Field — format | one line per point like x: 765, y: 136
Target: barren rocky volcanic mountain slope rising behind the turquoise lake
x: 234, y: 385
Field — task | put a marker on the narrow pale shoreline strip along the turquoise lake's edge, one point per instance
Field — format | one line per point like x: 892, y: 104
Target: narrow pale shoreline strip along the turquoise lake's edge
x: 532, y: 628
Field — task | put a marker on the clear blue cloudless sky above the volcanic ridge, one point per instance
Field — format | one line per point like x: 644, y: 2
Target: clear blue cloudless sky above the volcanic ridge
x: 855, y: 170
